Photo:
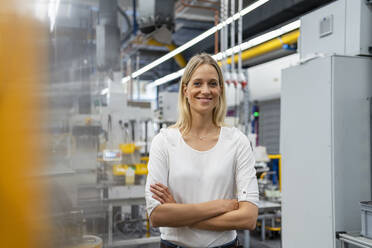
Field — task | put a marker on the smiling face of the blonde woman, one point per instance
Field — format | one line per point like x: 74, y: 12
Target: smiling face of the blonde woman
x: 203, y: 90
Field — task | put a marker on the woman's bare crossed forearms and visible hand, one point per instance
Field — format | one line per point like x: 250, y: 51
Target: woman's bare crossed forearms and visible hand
x: 217, y: 215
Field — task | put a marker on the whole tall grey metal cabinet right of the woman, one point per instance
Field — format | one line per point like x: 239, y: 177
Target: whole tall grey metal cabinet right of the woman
x: 326, y: 148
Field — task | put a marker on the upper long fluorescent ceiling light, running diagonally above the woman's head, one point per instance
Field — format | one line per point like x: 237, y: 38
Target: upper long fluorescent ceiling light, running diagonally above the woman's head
x: 195, y: 40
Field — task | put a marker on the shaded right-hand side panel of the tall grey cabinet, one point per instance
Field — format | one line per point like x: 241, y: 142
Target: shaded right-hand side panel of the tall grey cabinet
x: 351, y: 142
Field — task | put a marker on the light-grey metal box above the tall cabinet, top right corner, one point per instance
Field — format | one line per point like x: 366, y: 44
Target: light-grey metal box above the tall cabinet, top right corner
x: 343, y: 27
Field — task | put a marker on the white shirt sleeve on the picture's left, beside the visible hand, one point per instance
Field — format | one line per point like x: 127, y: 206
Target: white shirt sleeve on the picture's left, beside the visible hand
x: 157, y: 170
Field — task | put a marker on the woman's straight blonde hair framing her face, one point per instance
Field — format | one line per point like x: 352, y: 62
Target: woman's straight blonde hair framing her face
x: 184, y: 113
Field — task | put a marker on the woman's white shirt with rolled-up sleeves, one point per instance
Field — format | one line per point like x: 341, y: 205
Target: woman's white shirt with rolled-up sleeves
x: 226, y: 171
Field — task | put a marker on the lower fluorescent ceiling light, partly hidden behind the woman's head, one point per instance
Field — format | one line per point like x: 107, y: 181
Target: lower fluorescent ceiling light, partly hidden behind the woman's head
x: 244, y: 46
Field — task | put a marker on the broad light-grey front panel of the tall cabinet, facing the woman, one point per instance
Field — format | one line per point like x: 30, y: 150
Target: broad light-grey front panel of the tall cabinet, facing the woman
x: 306, y: 155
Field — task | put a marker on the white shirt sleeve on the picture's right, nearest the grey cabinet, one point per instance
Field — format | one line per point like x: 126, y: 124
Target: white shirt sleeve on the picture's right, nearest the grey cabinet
x: 245, y: 174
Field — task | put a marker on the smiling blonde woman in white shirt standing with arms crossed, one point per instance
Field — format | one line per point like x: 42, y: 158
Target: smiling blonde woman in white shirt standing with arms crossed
x: 201, y: 185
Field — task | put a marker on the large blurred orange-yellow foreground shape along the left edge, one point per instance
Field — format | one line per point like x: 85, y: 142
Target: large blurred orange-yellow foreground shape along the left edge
x: 23, y: 198
